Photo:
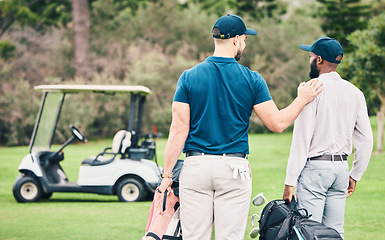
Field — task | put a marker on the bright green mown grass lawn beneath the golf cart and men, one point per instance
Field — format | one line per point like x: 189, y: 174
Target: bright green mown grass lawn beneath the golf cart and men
x: 92, y: 216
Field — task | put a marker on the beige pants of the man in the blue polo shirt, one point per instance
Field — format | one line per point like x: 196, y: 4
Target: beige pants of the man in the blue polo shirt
x: 209, y: 194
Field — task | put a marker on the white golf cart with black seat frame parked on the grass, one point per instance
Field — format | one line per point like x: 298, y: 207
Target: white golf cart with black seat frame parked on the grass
x: 125, y: 169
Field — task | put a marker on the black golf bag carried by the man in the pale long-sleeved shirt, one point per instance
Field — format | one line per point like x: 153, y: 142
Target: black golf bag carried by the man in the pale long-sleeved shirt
x: 296, y: 225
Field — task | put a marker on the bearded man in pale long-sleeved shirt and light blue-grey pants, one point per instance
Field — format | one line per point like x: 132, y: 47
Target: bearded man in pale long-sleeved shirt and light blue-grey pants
x: 323, y: 137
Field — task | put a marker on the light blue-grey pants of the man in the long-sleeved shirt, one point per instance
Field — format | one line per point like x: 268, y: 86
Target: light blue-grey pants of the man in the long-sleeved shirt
x: 321, y: 189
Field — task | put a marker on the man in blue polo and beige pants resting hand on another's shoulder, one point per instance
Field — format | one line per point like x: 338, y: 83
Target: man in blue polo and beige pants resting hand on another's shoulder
x: 212, y: 106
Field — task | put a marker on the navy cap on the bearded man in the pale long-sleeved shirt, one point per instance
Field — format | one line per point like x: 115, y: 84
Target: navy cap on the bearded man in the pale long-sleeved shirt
x: 326, y: 47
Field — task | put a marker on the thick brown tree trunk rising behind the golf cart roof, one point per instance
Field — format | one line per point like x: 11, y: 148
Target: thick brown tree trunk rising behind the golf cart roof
x: 81, y: 26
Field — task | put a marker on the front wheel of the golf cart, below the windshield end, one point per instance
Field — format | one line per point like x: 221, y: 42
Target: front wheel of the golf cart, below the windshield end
x: 27, y: 189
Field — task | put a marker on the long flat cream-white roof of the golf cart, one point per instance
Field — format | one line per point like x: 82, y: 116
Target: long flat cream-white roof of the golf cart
x: 108, y: 89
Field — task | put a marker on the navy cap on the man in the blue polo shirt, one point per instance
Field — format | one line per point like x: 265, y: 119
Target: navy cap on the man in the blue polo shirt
x: 230, y: 26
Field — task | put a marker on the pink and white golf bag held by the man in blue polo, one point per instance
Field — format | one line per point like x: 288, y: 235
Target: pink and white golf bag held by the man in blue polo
x: 163, y: 219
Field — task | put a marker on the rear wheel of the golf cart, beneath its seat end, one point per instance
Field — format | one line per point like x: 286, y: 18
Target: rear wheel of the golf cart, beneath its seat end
x: 130, y: 190
